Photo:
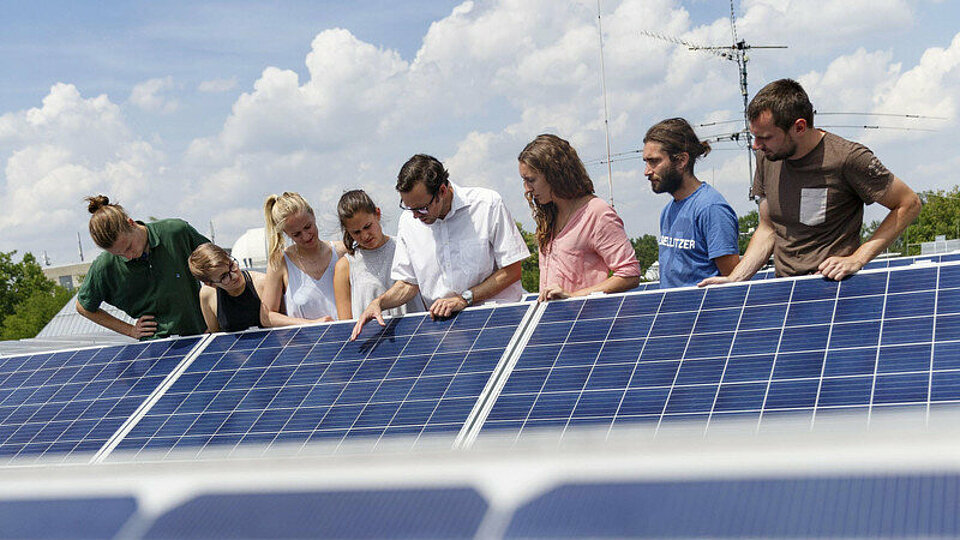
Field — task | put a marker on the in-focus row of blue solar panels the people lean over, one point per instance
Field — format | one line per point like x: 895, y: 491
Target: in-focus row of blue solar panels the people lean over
x: 800, y: 346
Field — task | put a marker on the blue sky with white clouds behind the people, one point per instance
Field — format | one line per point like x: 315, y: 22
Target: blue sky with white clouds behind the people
x: 200, y: 109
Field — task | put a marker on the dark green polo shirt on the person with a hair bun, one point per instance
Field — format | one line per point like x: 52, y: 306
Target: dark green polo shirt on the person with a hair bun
x: 159, y: 284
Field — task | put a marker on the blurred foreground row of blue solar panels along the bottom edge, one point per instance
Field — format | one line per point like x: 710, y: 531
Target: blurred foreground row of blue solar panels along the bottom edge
x: 912, y: 505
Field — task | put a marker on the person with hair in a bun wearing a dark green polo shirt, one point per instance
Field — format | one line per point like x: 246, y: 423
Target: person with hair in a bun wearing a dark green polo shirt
x: 144, y: 273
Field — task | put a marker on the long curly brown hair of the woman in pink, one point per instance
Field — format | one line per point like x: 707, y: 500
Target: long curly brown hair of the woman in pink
x: 568, y: 179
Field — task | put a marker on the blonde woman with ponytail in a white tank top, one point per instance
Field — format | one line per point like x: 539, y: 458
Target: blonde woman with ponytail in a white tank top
x: 301, y: 275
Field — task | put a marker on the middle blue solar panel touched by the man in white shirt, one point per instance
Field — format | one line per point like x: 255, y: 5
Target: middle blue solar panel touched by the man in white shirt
x: 415, y: 376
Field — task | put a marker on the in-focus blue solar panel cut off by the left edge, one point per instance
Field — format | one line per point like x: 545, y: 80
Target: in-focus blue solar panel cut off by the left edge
x: 69, y: 403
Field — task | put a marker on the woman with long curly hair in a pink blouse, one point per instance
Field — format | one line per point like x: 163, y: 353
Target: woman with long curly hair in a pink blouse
x: 583, y: 247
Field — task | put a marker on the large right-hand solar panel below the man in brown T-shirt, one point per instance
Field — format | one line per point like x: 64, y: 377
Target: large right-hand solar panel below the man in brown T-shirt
x: 804, y: 346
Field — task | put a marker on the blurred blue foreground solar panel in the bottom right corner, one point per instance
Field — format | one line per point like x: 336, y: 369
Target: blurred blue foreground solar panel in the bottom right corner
x: 895, y: 506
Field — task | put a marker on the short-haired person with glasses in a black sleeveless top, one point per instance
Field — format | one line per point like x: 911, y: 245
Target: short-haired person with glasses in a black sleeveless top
x: 230, y: 302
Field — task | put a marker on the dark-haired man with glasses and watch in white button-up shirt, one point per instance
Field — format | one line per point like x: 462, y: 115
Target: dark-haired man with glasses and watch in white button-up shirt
x: 456, y: 246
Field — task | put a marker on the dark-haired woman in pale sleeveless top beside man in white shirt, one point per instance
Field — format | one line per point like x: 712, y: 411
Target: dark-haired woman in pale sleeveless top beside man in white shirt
x: 363, y: 273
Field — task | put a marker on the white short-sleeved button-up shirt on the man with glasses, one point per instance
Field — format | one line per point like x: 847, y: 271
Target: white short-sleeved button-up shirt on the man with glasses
x: 477, y: 237
